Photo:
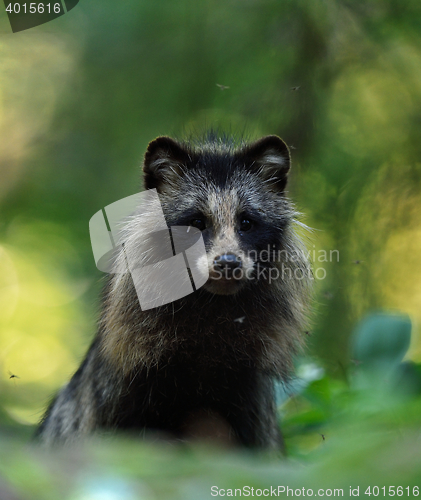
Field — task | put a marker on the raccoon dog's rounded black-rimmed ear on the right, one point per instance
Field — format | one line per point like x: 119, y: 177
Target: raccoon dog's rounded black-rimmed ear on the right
x: 271, y: 159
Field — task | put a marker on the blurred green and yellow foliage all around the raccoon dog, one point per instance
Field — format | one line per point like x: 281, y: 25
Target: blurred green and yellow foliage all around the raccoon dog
x: 81, y: 97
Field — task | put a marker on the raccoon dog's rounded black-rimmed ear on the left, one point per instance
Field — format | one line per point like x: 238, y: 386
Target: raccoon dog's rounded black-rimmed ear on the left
x: 164, y: 161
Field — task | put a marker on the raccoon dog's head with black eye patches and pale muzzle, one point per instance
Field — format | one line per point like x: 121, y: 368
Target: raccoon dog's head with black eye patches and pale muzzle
x: 234, y: 194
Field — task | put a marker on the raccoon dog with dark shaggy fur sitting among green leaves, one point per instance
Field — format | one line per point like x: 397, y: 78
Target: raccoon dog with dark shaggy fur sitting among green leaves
x: 206, y: 363
